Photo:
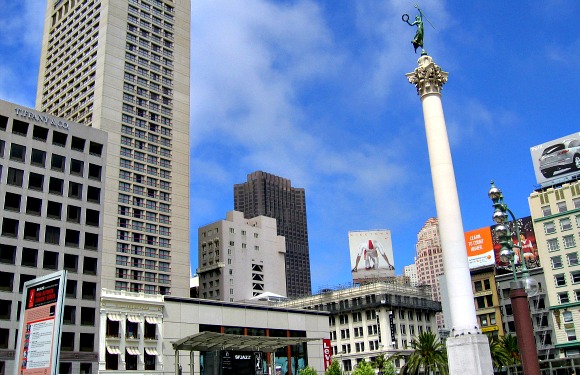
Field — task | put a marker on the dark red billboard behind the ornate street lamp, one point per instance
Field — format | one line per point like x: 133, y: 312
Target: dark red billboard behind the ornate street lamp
x: 525, y: 247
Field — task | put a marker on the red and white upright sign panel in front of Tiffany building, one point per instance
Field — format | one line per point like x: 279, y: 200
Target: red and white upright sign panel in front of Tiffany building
x: 40, y: 325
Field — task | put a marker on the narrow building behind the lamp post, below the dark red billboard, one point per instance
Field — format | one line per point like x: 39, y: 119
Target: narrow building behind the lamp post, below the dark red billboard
x: 542, y: 322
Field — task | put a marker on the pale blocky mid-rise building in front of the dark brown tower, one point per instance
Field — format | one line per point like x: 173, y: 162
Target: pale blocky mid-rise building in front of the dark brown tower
x: 240, y: 258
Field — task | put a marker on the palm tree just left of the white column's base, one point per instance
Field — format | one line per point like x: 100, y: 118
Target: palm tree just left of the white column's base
x: 428, y: 356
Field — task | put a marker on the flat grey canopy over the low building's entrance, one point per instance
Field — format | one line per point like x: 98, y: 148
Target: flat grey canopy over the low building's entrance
x: 210, y: 341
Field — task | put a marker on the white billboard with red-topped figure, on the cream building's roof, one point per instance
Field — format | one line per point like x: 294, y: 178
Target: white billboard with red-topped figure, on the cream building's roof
x: 371, y: 255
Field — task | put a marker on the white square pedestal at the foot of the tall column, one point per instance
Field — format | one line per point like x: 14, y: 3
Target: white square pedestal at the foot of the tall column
x: 469, y: 354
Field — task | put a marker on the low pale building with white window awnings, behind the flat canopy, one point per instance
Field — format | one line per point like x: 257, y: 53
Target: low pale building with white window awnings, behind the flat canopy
x: 138, y: 331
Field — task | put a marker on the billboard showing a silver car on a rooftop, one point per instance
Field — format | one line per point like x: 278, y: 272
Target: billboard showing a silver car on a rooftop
x: 557, y: 161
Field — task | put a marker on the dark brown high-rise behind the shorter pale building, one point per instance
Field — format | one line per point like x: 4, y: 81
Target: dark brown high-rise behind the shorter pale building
x: 269, y: 195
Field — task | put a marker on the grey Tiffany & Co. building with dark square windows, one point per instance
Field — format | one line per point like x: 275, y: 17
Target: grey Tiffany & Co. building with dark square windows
x: 52, y: 189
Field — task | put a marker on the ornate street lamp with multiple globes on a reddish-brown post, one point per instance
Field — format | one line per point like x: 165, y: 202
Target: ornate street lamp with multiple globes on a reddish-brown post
x: 519, y: 288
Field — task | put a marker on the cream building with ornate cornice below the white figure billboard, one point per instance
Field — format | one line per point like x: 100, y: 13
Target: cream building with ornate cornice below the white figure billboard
x: 373, y: 319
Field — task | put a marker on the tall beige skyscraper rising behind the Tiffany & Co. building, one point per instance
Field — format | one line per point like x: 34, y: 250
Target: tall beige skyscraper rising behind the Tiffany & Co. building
x: 123, y: 67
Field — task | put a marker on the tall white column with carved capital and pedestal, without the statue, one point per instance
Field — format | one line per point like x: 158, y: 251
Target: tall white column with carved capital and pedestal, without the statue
x: 468, y: 351
